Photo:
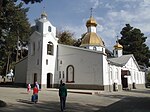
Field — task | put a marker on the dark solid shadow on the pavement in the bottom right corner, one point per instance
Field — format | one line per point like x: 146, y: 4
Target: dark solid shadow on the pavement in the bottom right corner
x: 132, y: 104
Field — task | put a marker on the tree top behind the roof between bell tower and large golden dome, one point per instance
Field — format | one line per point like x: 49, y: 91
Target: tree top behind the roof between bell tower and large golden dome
x: 66, y: 38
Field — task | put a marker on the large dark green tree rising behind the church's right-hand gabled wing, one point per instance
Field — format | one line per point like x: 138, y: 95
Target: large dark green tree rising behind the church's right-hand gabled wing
x: 133, y: 42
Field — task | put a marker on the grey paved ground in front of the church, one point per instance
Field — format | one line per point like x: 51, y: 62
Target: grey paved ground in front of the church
x: 18, y: 100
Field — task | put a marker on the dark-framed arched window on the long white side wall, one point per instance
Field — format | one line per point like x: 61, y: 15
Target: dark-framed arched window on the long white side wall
x: 70, y: 74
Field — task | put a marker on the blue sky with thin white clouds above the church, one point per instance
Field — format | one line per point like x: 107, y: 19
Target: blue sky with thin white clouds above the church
x: 111, y: 16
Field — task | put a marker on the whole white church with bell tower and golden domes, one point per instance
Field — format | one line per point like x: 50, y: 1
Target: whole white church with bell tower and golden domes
x: 84, y: 67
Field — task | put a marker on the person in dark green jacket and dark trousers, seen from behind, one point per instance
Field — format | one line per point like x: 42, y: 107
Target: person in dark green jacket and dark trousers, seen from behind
x: 62, y: 95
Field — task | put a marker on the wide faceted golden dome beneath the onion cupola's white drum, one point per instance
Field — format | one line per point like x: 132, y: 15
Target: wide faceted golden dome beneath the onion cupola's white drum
x: 91, y: 39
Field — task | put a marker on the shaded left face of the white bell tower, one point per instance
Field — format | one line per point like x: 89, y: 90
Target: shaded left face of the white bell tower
x: 34, y: 58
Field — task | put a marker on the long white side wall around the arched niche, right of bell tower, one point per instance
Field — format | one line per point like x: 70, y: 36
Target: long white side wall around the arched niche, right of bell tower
x: 87, y: 64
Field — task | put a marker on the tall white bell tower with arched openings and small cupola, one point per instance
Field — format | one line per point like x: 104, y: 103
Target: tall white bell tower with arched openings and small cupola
x: 42, y: 53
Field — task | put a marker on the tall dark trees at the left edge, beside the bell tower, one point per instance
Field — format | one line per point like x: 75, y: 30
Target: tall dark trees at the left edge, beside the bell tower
x: 14, y: 28
